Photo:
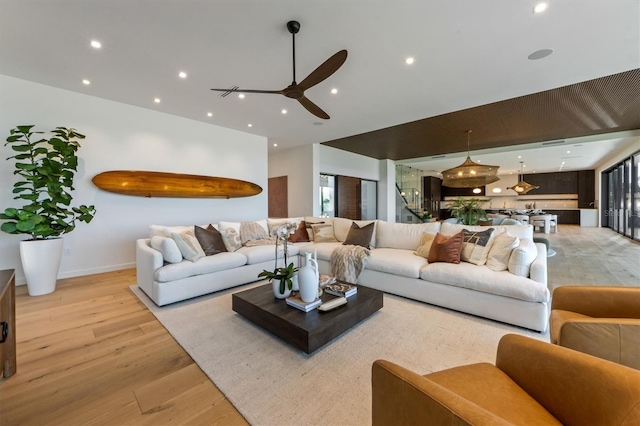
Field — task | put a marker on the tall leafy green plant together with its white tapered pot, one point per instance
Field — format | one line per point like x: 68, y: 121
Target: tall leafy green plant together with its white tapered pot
x: 46, y: 168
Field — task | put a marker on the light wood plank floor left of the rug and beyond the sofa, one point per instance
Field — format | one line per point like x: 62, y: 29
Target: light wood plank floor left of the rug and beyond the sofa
x: 91, y: 353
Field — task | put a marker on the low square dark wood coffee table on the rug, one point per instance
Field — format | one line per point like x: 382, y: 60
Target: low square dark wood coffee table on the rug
x: 307, y: 331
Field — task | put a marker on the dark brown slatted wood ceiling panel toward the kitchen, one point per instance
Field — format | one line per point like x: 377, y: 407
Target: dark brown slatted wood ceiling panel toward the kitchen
x: 603, y: 105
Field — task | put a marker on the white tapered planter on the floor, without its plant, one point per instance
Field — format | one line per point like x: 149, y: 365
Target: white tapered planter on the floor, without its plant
x: 41, y: 262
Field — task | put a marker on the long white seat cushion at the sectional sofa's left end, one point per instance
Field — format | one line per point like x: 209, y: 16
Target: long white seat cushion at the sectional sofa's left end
x: 205, y: 265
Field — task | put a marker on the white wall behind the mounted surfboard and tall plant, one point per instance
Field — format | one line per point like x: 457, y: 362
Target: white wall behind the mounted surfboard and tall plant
x: 120, y: 136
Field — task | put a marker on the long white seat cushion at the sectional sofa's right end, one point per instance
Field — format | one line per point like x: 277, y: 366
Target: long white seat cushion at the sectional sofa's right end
x: 481, y: 278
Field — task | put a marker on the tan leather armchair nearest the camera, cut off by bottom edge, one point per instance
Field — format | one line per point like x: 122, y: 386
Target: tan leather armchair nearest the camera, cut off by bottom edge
x: 532, y: 383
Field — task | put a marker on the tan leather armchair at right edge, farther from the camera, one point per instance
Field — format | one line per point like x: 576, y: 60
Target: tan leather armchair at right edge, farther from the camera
x: 600, y: 321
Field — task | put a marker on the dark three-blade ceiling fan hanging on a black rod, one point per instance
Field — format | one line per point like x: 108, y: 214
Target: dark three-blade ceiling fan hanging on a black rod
x: 296, y: 90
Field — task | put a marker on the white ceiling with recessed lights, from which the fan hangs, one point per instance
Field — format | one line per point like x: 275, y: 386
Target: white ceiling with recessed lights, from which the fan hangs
x: 467, y: 53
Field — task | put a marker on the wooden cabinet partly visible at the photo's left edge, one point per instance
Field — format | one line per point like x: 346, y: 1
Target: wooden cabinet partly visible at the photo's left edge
x: 7, y: 323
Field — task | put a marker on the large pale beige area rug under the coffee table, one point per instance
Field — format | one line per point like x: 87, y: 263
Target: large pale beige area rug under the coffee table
x: 273, y: 383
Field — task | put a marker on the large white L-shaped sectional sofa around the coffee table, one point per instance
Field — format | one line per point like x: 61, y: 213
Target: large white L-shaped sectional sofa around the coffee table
x: 392, y: 267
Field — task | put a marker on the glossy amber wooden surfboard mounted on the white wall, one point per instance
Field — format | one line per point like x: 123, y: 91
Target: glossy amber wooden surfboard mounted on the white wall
x: 161, y: 184
